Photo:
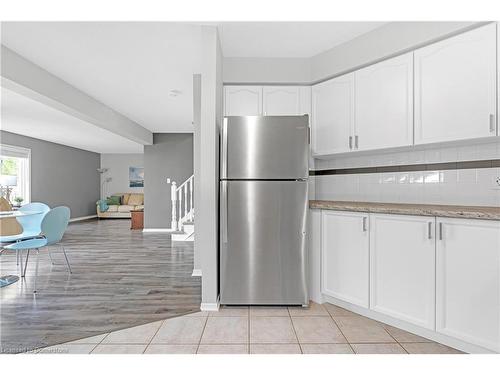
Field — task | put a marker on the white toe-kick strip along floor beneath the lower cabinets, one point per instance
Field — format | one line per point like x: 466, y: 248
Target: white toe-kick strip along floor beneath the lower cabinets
x: 420, y: 331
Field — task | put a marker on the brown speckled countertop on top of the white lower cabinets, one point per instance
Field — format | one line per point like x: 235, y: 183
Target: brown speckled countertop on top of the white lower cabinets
x: 466, y: 212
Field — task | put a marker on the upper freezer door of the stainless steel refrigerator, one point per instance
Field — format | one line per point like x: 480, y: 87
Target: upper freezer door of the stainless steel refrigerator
x: 271, y: 147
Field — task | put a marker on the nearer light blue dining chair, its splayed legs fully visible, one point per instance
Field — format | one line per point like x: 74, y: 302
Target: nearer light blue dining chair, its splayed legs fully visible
x: 53, y: 226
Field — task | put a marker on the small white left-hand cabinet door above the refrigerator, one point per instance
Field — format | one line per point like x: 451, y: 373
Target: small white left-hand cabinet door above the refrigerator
x: 243, y: 100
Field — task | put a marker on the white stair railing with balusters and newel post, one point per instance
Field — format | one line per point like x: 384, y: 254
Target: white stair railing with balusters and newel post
x: 182, y: 203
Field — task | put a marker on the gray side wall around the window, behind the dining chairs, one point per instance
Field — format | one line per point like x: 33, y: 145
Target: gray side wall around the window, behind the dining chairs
x: 61, y: 175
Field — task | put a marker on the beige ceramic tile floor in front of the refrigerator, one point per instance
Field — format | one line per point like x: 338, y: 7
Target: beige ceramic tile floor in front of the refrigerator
x: 319, y: 329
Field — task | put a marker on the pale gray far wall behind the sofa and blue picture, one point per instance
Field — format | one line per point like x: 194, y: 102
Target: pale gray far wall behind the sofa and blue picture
x: 118, y: 165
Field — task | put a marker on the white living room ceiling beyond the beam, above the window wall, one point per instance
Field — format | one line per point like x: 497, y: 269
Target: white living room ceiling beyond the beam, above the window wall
x: 25, y: 116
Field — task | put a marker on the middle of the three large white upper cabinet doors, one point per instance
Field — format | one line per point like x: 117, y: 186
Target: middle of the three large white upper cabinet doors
x: 384, y: 104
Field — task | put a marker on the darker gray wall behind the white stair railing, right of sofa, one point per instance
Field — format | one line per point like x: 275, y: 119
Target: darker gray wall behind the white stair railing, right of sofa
x: 170, y: 155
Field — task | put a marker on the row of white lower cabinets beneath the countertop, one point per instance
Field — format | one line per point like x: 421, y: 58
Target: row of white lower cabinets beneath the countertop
x: 441, y: 274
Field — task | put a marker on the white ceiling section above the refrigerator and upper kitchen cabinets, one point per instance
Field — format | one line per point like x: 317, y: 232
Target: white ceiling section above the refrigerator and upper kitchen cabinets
x: 287, y: 39
